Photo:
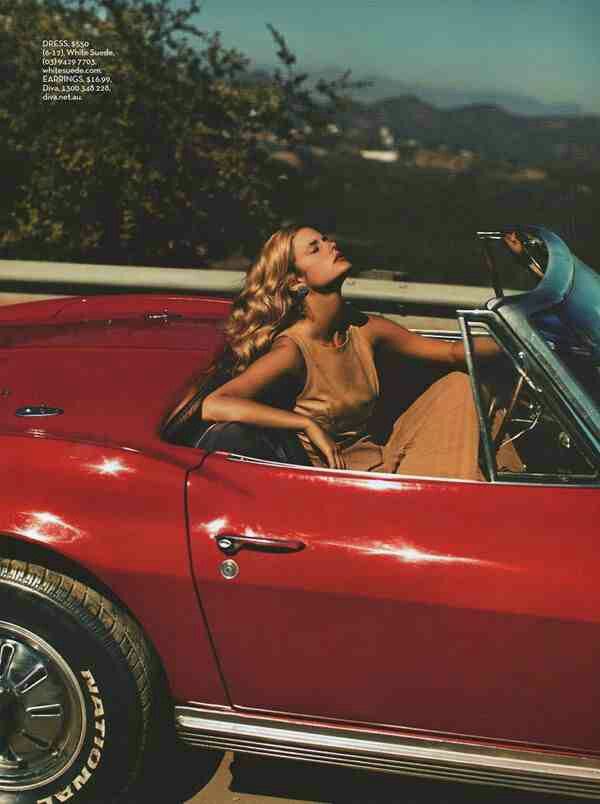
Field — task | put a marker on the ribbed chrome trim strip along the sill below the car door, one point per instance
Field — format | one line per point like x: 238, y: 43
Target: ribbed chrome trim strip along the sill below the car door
x: 462, y: 761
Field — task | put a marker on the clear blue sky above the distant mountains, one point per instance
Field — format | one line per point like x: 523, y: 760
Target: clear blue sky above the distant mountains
x: 546, y: 49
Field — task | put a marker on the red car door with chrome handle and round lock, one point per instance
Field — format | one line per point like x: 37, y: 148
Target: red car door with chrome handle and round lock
x: 439, y: 605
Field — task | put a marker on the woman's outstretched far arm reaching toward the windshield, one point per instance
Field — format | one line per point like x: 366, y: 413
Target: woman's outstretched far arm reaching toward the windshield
x: 395, y: 337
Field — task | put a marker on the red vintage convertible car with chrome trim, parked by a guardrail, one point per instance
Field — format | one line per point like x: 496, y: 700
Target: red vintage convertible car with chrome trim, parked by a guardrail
x: 154, y: 568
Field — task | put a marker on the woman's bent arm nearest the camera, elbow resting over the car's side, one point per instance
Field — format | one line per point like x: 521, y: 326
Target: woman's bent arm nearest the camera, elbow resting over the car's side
x: 236, y: 399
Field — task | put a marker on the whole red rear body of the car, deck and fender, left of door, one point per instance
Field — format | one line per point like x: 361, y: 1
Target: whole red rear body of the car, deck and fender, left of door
x: 96, y: 484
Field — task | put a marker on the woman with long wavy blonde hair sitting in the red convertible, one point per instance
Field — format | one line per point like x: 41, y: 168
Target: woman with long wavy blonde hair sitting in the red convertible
x: 290, y: 329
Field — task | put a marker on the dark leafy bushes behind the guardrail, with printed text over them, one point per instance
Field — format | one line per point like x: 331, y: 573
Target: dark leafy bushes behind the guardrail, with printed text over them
x: 173, y: 166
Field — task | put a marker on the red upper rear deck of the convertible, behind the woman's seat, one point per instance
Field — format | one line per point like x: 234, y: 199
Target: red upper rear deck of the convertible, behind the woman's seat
x: 114, y: 365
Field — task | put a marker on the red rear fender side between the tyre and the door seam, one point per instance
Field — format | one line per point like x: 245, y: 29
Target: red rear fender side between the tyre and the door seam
x: 119, y: 514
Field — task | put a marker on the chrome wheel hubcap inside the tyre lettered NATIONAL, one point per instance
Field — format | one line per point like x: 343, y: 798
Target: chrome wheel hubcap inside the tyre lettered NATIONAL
x: 42, y: 711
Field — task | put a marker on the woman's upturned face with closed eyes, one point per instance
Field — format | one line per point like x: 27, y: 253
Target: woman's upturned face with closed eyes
x: 318, y: 260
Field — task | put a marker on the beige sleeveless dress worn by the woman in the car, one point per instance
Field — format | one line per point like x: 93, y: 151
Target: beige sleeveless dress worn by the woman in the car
x: 437, y: 436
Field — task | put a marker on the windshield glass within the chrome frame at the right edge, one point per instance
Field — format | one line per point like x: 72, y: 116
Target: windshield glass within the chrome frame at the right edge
x: 572, y: 329
